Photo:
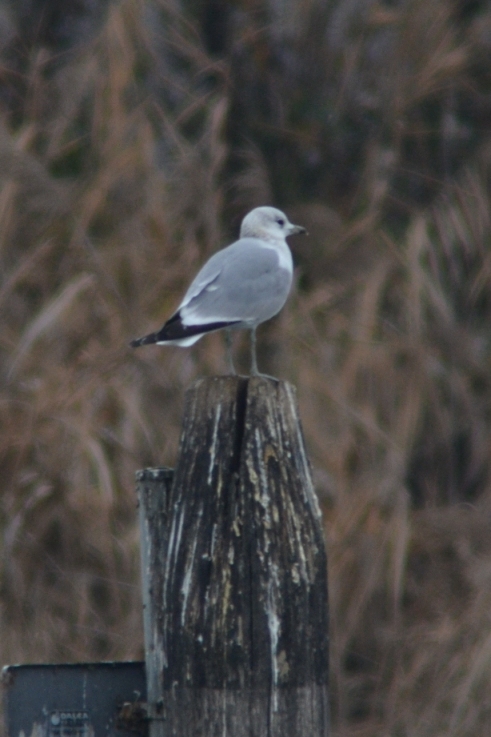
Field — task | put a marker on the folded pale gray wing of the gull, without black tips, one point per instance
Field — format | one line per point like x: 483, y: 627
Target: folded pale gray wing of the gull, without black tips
x: 243, y: 282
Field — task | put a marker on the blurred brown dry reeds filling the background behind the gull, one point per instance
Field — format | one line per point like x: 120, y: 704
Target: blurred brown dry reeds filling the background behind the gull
x: 134, y: 135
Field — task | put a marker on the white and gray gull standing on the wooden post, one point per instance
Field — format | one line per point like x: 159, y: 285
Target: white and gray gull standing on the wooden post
x: 239, y: 287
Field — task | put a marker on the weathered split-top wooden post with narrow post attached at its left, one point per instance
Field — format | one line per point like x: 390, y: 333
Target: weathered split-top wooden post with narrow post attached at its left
x: 235, y: 571
